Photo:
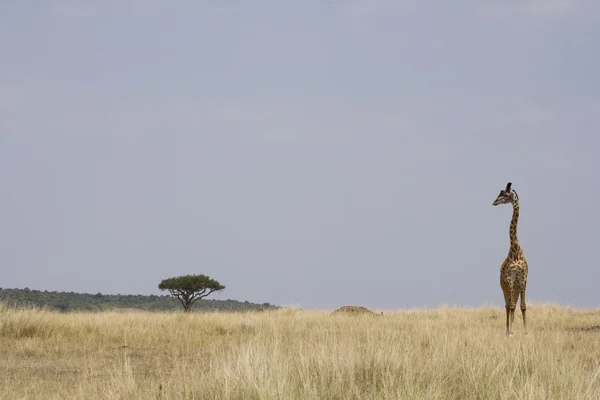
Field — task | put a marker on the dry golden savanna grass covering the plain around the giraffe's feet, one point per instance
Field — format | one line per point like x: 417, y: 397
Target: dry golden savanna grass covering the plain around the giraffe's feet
x: 290, y: 354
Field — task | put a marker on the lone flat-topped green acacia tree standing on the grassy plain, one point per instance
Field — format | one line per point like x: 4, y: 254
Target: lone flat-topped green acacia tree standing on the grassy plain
x: 190, y: 288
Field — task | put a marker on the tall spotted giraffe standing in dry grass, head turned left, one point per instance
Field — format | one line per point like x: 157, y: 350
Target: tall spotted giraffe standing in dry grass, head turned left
x: 513, y: 273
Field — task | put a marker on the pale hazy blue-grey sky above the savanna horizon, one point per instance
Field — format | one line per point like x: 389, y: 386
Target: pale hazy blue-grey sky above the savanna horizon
x: 310, y: 153
